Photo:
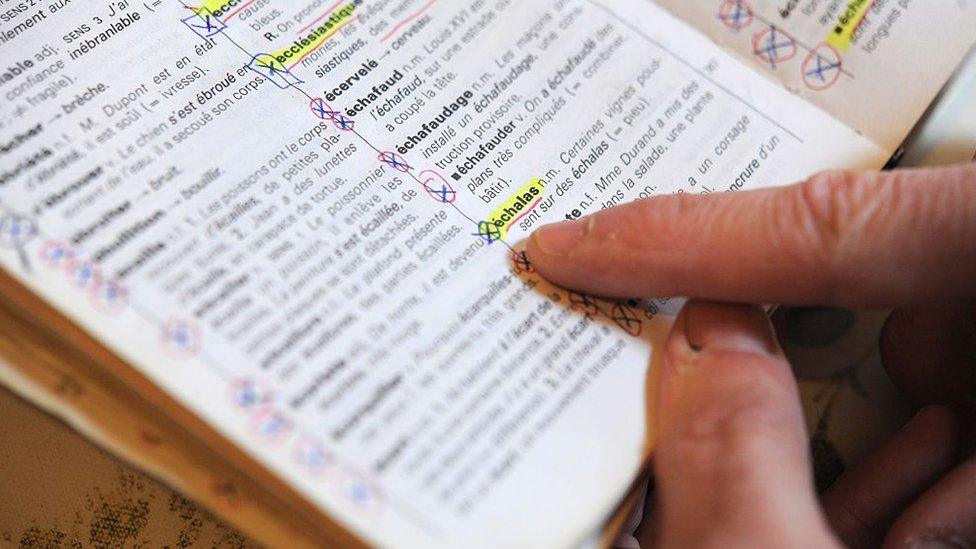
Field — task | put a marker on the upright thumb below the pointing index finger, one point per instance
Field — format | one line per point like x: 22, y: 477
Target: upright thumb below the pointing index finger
x: 732, y: 461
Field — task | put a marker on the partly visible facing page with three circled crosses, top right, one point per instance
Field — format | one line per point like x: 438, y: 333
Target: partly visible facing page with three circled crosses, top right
x: 874, y: 64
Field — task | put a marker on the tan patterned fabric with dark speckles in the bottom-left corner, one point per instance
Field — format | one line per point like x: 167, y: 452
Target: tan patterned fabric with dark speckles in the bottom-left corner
x: 57, y: 490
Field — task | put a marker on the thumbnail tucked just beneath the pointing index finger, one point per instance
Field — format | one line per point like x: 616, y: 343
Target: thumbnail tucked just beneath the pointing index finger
x: 737, y: 328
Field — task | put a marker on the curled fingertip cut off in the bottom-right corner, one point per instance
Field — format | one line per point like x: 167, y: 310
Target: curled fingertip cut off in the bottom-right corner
x: 945, y: 516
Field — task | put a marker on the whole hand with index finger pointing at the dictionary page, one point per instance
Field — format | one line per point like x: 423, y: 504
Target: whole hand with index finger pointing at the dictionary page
x: 731, y: 460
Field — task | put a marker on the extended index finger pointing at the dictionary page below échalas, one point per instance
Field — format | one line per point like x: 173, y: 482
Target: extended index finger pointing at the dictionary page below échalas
x: 841, y: 238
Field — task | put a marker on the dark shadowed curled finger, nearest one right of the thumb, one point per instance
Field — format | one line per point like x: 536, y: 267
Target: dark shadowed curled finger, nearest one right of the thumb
x: 867, y: 499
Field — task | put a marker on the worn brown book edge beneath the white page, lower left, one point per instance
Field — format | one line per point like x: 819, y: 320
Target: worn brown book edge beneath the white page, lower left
x: 60, y: 368
